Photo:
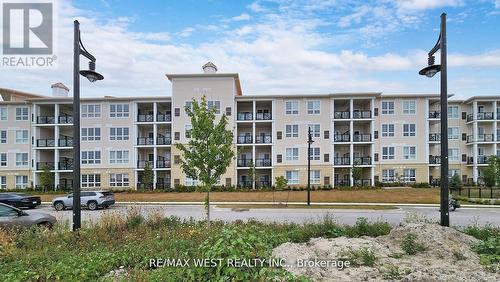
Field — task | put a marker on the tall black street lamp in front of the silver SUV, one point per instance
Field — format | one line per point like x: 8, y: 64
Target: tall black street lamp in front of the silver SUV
x: 92, y: 76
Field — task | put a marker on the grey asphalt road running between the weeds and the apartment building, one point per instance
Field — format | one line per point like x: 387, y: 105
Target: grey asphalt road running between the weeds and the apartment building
x: 460, y: 217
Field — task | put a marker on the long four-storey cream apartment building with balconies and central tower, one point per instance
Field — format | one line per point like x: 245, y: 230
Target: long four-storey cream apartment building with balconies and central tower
x: 391, y: 137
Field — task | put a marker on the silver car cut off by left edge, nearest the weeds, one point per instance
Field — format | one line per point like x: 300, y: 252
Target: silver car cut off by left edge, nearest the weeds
x: 11, y: 217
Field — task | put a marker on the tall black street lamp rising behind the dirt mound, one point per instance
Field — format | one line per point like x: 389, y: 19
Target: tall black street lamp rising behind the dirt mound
x: 430, y: 71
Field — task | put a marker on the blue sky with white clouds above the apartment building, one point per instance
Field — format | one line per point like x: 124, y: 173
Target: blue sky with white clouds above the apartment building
x: 277, y: 46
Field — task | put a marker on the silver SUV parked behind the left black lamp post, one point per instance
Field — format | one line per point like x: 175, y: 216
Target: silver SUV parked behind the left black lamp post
x: 90, y: 199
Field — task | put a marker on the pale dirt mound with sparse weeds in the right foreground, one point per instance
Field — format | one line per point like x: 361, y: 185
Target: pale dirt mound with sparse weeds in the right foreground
x: 442, y: 254
